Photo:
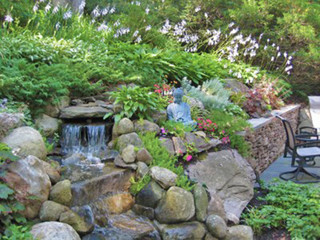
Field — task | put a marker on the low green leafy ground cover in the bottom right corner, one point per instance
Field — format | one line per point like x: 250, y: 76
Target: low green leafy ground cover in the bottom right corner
x: 291, y: 206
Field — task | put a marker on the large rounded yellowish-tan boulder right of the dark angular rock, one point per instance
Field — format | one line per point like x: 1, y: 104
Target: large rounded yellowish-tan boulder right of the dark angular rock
x: 177, y: 206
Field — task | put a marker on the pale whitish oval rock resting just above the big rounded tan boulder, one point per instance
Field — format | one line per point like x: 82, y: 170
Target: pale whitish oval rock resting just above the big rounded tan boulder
x: 163, y: 176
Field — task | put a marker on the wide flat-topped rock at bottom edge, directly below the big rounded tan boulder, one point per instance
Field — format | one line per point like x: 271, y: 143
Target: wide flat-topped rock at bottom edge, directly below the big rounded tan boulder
x: 189, y: 230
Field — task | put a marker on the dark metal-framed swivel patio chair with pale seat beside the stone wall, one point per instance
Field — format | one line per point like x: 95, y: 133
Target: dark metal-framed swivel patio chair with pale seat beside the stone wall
x: 304, y: 148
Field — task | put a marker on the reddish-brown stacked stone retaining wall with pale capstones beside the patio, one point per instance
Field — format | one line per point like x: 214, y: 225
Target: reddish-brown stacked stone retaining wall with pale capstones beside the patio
x: 268, y: 137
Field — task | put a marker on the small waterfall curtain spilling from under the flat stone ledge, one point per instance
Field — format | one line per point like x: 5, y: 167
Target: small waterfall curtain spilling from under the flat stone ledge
x: 87, y: 139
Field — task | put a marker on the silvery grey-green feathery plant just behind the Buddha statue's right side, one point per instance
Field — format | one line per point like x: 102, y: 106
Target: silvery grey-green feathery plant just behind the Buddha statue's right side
x: 212, y: 94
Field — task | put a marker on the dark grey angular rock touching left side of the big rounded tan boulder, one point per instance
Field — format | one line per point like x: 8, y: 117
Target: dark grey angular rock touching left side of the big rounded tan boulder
x: 150, y: 195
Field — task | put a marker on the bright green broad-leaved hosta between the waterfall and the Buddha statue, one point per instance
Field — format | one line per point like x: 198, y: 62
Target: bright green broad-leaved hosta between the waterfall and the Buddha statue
x: 136, y: 102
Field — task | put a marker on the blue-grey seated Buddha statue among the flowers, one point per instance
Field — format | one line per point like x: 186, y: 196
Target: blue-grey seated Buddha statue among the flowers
x: 180, y: 111
